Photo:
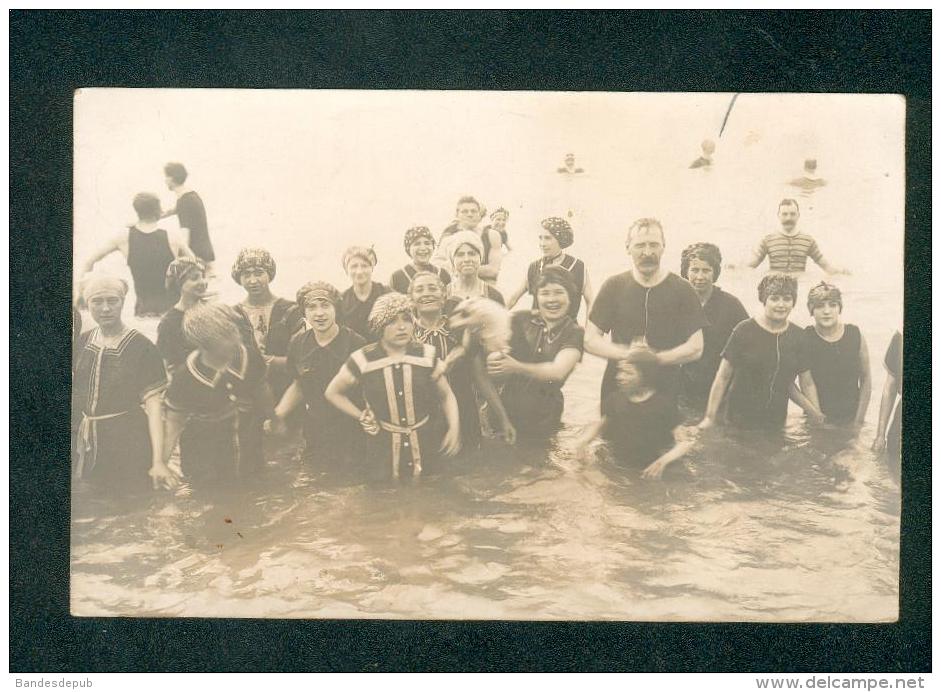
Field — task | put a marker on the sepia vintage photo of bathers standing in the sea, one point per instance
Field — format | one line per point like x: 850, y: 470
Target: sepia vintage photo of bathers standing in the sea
x: 487, y: 355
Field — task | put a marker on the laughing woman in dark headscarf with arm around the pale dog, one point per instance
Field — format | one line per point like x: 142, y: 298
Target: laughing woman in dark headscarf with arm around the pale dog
x: 545, y: 346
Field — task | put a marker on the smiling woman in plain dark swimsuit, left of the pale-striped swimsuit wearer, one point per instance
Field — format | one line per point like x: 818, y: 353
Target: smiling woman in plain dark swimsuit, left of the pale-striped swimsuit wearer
x: 314, y: 357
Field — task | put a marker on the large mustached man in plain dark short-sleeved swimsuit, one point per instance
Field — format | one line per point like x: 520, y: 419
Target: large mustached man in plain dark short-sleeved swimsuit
x: 646, y: 309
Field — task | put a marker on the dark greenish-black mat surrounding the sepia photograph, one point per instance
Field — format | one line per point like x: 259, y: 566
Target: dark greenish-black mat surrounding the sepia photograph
x: 54, y: 53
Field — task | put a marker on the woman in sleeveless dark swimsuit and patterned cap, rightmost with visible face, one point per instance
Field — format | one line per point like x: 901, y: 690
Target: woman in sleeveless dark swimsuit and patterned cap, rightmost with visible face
x: 839, y: 359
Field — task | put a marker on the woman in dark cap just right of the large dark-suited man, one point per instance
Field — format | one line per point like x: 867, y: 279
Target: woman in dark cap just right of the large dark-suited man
x: 701, y: 264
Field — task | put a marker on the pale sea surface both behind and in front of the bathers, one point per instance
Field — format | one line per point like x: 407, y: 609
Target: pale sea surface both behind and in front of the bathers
x: 805, y: 528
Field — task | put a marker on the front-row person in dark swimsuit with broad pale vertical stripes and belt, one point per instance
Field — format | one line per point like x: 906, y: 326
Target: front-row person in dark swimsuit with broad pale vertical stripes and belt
x: 404, y: 402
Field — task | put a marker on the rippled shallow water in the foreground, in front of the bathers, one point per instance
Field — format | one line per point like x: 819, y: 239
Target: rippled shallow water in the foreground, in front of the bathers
x: 803, y: 528
